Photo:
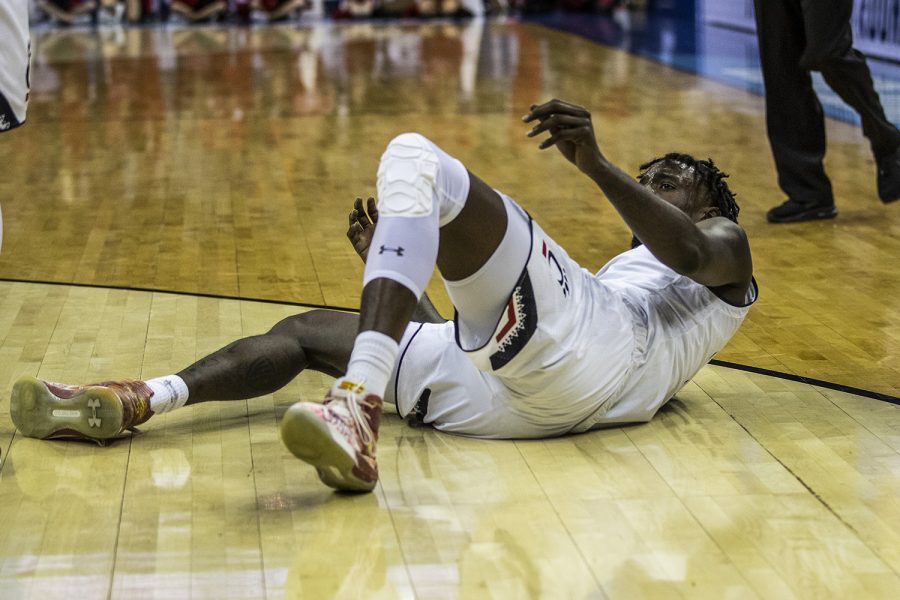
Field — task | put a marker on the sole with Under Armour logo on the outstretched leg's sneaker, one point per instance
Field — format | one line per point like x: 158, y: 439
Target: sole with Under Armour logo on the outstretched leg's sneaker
x: 94, y: 413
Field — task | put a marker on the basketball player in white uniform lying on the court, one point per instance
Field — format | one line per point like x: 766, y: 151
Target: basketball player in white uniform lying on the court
x: 538, y: 346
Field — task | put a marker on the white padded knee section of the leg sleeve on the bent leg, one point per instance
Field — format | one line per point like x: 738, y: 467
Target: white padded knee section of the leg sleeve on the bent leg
x: 415, y: 177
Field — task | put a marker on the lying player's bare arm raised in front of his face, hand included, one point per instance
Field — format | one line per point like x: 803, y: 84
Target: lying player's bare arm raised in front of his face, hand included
x: 713, y: 251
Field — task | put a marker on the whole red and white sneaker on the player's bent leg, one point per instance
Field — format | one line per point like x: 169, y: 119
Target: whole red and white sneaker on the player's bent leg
x: 337, y: 437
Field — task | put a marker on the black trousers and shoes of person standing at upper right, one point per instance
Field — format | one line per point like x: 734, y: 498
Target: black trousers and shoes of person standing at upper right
x: 795, y: 38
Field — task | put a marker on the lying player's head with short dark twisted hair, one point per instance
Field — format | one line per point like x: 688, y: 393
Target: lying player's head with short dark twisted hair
x: 697, y: 187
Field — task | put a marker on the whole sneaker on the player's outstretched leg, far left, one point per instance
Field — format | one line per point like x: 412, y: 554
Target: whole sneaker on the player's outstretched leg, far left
x: 97, y: 412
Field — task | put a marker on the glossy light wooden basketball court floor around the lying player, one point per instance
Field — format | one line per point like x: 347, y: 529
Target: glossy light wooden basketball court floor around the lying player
x: 175, y: 189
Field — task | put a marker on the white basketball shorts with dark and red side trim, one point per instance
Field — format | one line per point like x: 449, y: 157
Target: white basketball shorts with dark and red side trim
x: 560, y: 350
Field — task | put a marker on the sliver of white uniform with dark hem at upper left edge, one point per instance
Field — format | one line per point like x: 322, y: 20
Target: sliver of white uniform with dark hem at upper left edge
x: 14, y: 55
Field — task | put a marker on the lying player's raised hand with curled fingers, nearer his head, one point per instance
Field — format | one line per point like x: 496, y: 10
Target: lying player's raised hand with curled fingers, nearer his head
x: 571, y: 131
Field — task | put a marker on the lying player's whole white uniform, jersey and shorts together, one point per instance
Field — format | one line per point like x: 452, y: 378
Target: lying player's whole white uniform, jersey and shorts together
x: 573, y: 350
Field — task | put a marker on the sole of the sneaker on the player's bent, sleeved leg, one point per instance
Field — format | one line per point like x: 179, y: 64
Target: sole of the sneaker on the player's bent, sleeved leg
x: 309, y: 439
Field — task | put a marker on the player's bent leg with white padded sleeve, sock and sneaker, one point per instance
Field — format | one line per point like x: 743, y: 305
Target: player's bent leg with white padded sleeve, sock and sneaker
x: 431, y: 211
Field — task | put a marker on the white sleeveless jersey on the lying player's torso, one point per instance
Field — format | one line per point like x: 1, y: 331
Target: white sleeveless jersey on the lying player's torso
x: 681, y: 326
